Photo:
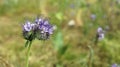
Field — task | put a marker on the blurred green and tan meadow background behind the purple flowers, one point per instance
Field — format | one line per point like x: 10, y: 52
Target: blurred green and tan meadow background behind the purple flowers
x: 76, y: 24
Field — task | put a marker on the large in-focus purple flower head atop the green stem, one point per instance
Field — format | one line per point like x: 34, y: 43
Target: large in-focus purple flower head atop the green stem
x: 41, y: 29
